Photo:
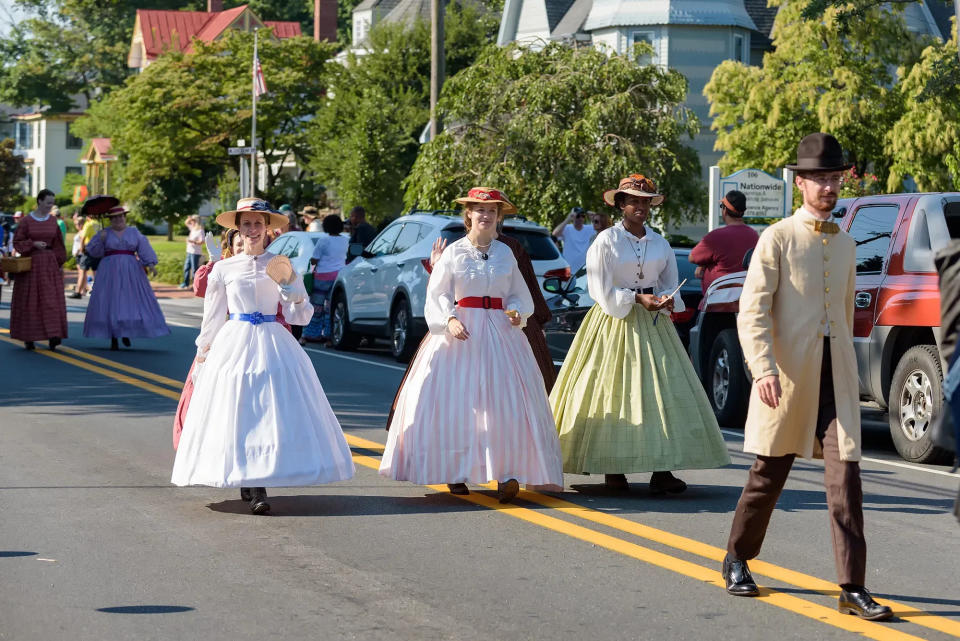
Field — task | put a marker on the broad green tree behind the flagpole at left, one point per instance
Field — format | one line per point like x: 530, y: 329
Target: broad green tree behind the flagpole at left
x: 172, y: 123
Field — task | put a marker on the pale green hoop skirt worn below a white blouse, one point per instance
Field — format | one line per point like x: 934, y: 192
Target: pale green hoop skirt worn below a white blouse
x: 628, y: 400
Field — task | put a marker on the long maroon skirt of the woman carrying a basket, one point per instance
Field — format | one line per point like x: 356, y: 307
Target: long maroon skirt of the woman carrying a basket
x: 39, y: 309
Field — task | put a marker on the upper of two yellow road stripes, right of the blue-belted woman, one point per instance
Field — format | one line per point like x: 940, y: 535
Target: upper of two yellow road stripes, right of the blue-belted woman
x: 692, y: 546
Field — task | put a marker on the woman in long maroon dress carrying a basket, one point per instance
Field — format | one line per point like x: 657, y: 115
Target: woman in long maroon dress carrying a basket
x: 39, y: 309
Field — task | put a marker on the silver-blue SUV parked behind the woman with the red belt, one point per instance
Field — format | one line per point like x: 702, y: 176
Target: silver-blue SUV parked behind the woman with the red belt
x: 381, y: 292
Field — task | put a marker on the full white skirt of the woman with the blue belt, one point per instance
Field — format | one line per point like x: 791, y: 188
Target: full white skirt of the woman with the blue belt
x: 258, y: 416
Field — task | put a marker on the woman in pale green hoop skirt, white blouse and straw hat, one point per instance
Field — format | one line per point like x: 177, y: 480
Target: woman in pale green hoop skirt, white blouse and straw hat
x: 627, y: 398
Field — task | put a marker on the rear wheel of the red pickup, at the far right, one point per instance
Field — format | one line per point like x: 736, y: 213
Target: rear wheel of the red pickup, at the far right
x: 916, y: 397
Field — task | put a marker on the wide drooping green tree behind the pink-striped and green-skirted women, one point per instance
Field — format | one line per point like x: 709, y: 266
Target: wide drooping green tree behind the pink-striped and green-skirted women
x: 556, y: 127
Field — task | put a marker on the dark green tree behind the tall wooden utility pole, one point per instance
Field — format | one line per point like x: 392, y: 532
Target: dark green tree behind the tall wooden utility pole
x: 366, y: 136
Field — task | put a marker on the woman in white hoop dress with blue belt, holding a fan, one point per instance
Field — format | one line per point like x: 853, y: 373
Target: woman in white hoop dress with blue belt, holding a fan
x: 258, y: 417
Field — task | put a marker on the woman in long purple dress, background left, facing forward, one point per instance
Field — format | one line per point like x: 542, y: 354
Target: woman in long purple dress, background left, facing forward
x: 123, y: 304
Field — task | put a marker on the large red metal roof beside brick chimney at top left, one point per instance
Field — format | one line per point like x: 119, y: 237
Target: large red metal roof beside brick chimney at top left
x: 164, y: 30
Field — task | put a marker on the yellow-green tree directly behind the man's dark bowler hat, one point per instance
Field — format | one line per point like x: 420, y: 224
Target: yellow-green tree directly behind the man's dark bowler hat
x: 818, y: 78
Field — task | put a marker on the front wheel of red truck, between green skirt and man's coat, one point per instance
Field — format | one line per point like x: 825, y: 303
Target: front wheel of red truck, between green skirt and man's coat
x: 727, y: 385
